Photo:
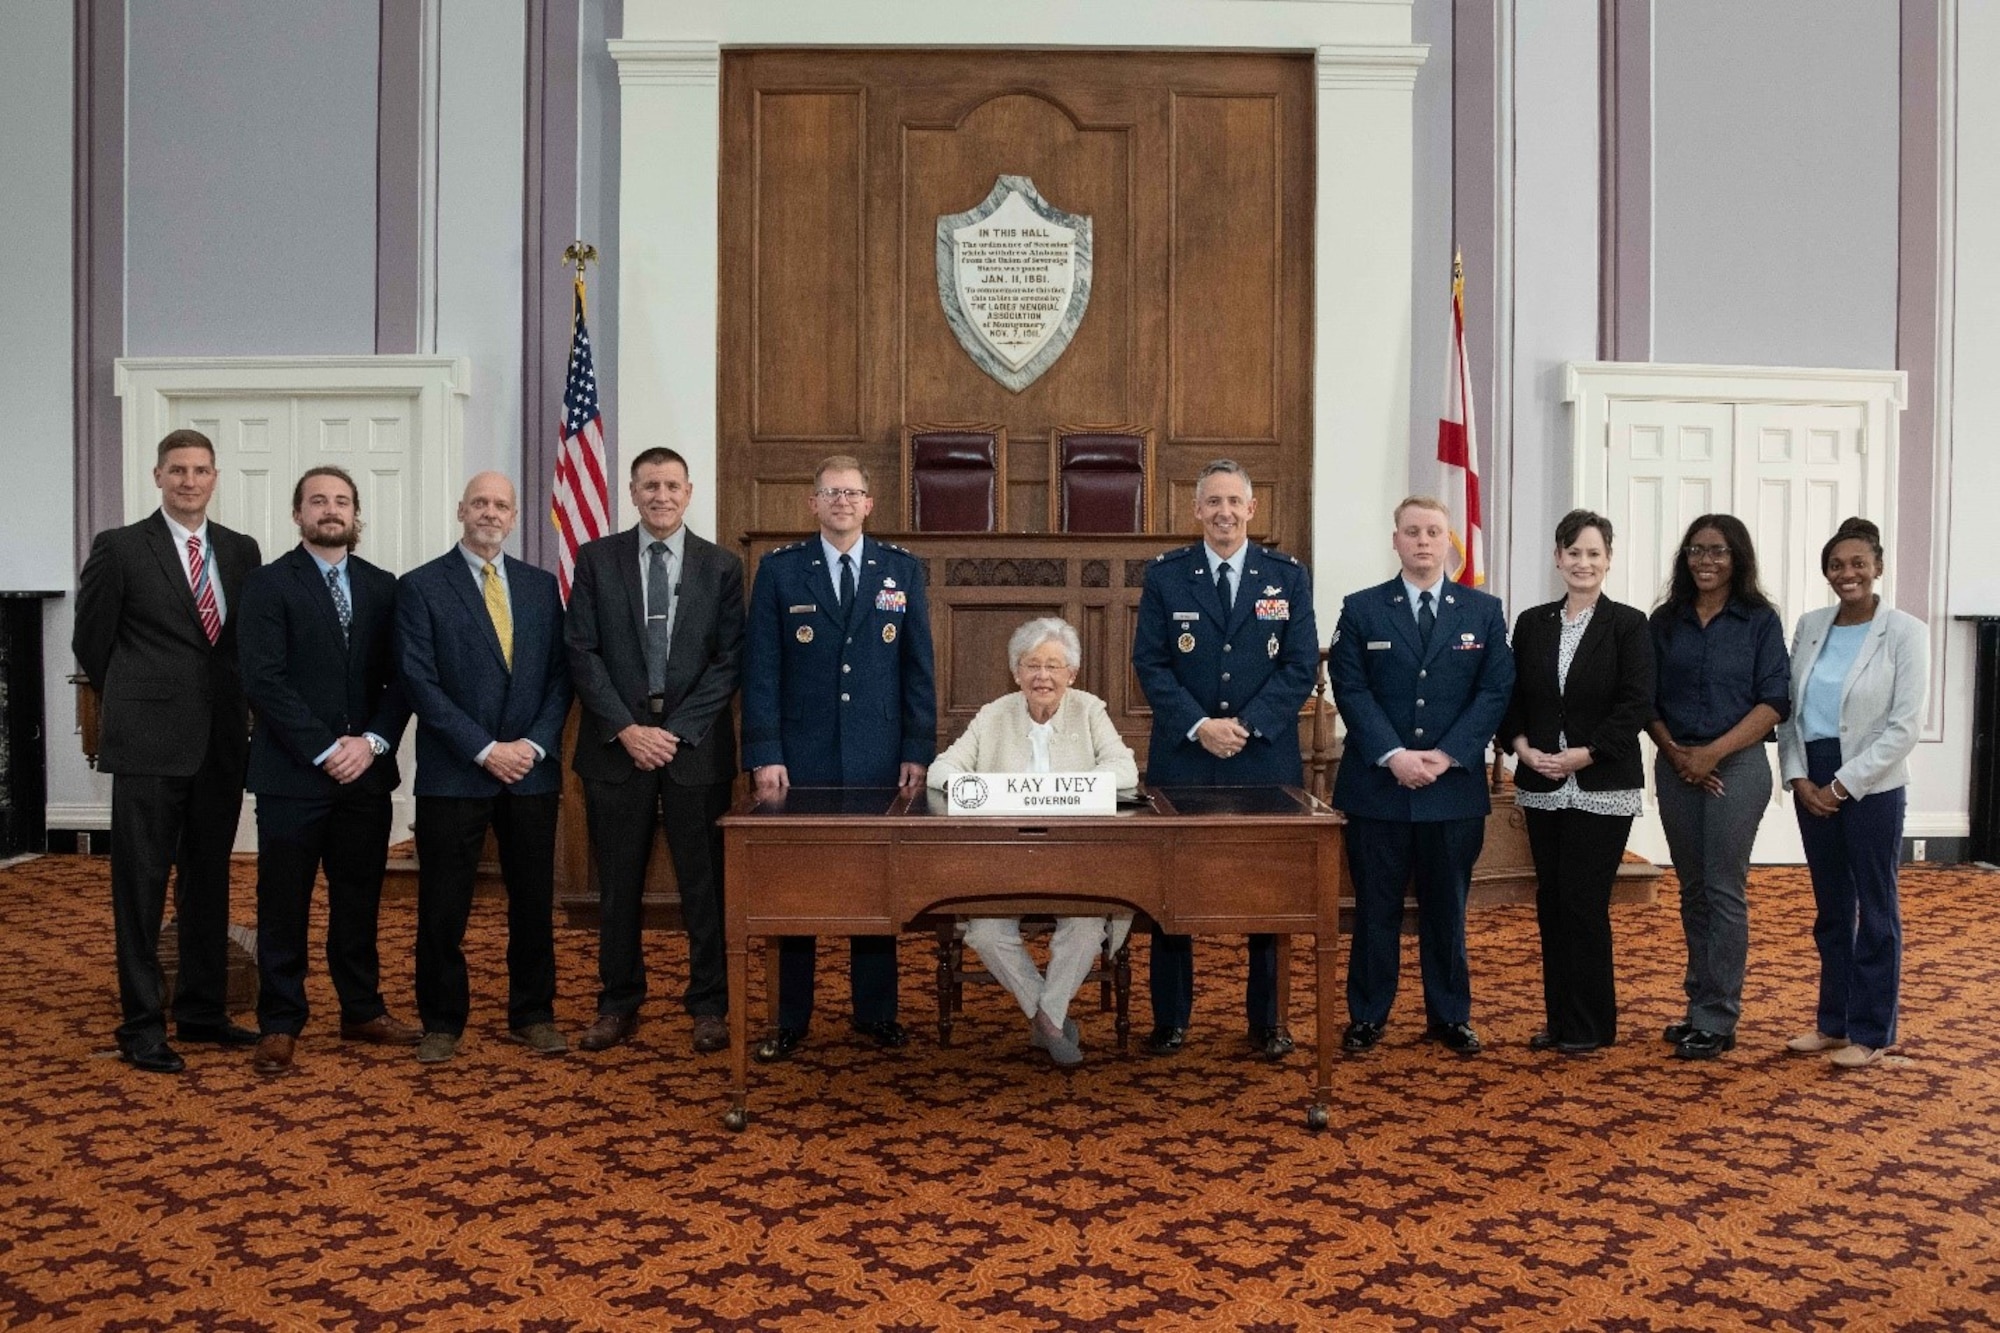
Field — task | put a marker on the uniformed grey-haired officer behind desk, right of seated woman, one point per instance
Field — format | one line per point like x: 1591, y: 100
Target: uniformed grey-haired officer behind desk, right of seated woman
x: 1227, y: 653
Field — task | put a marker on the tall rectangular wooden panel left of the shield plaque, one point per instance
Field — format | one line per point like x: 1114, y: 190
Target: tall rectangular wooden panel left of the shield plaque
x: 809, y: 265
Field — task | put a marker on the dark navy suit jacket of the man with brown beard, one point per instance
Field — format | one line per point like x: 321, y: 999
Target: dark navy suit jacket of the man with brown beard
x: 309, y: 684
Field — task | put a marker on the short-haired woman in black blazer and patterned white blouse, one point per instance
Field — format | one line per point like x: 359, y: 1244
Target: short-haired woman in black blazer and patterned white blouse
x: 1583, y: 692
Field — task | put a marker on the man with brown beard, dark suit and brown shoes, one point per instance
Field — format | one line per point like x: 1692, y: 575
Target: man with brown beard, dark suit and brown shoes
x: 317, y: 643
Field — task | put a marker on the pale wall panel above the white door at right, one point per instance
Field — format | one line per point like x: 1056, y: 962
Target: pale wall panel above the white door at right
x: 1775, y: 183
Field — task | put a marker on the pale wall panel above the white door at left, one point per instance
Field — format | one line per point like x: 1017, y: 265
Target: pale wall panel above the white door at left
x: 251, y: 209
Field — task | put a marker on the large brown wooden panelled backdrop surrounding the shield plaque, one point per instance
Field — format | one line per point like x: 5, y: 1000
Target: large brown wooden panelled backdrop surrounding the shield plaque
x: 1197, y: 173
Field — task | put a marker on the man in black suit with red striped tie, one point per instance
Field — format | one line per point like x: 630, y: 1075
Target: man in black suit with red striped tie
x: 157, y: 637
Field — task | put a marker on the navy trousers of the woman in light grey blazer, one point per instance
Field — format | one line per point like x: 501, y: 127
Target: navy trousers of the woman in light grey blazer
x: 1853, y: 856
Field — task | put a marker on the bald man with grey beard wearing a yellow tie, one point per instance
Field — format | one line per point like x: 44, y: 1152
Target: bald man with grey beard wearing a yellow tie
x: 487, y: 672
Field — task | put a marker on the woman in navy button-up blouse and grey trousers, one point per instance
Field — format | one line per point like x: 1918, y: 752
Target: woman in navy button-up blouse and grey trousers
x: 1723, y: 688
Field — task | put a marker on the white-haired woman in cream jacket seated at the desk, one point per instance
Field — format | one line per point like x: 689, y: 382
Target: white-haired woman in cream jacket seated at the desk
x: 1045, y: 728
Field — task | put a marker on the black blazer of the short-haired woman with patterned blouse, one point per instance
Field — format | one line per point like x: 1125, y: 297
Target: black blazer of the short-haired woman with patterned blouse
x: 1603, y: 706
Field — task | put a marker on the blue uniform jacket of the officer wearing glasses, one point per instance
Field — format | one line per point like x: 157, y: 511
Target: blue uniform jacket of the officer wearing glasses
x: 839, y: 696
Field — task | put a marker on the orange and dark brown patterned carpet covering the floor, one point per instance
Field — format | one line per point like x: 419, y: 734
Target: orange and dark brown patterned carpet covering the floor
x: 977, y: 1188
